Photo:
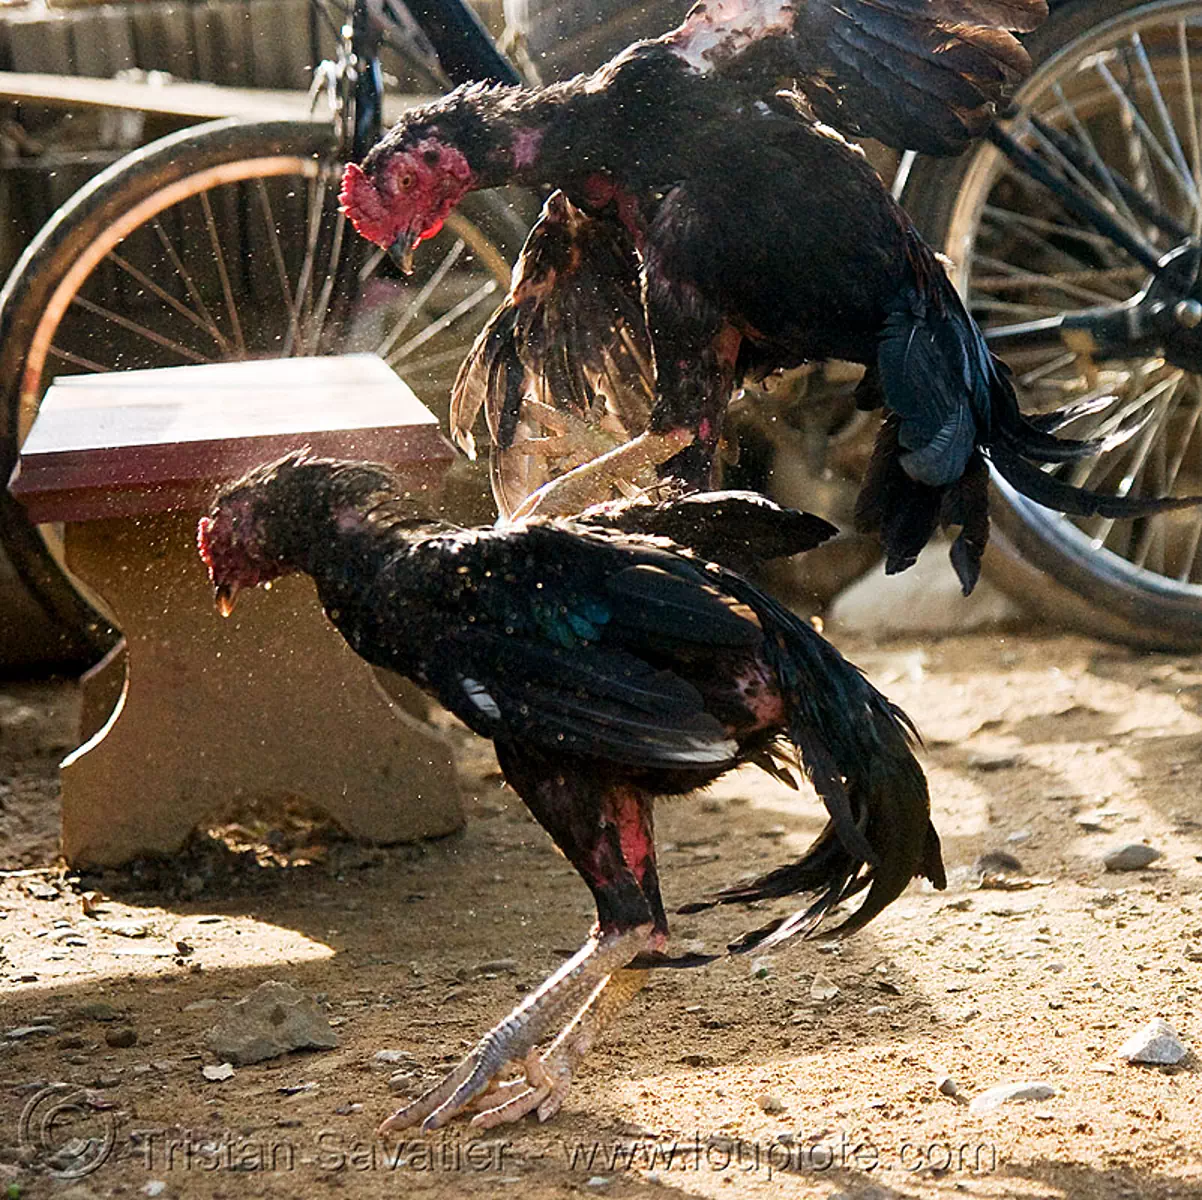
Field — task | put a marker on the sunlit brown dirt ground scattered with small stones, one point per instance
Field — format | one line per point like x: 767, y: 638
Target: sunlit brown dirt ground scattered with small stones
x: 737, y: 1080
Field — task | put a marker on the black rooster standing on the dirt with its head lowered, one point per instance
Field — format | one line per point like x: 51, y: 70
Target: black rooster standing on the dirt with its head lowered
x: 610, y: 667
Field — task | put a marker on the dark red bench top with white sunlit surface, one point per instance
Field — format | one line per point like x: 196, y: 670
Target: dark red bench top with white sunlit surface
x: 130, y: 443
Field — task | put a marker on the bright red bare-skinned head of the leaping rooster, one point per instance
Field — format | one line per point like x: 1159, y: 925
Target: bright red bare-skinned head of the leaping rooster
x: 404, y: 193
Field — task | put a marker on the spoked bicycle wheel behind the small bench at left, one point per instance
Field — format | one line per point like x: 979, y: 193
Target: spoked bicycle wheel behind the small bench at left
x: 219, y: 243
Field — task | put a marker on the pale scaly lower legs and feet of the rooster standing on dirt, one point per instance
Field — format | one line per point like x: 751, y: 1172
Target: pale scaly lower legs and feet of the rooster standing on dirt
x: 575, y: 987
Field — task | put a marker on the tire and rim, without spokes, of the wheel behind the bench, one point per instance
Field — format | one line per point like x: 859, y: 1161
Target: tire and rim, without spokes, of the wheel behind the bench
x: 130, y: 201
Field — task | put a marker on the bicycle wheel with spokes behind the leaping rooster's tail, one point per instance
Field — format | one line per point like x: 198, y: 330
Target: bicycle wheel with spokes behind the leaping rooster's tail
x: 1117, y: 82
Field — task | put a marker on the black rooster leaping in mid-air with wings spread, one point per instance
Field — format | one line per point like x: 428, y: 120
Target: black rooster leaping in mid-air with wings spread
x: 711, y: 229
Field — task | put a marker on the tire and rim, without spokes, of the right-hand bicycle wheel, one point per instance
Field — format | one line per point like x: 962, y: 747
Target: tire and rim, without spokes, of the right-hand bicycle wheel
x: 1042, y: 559
